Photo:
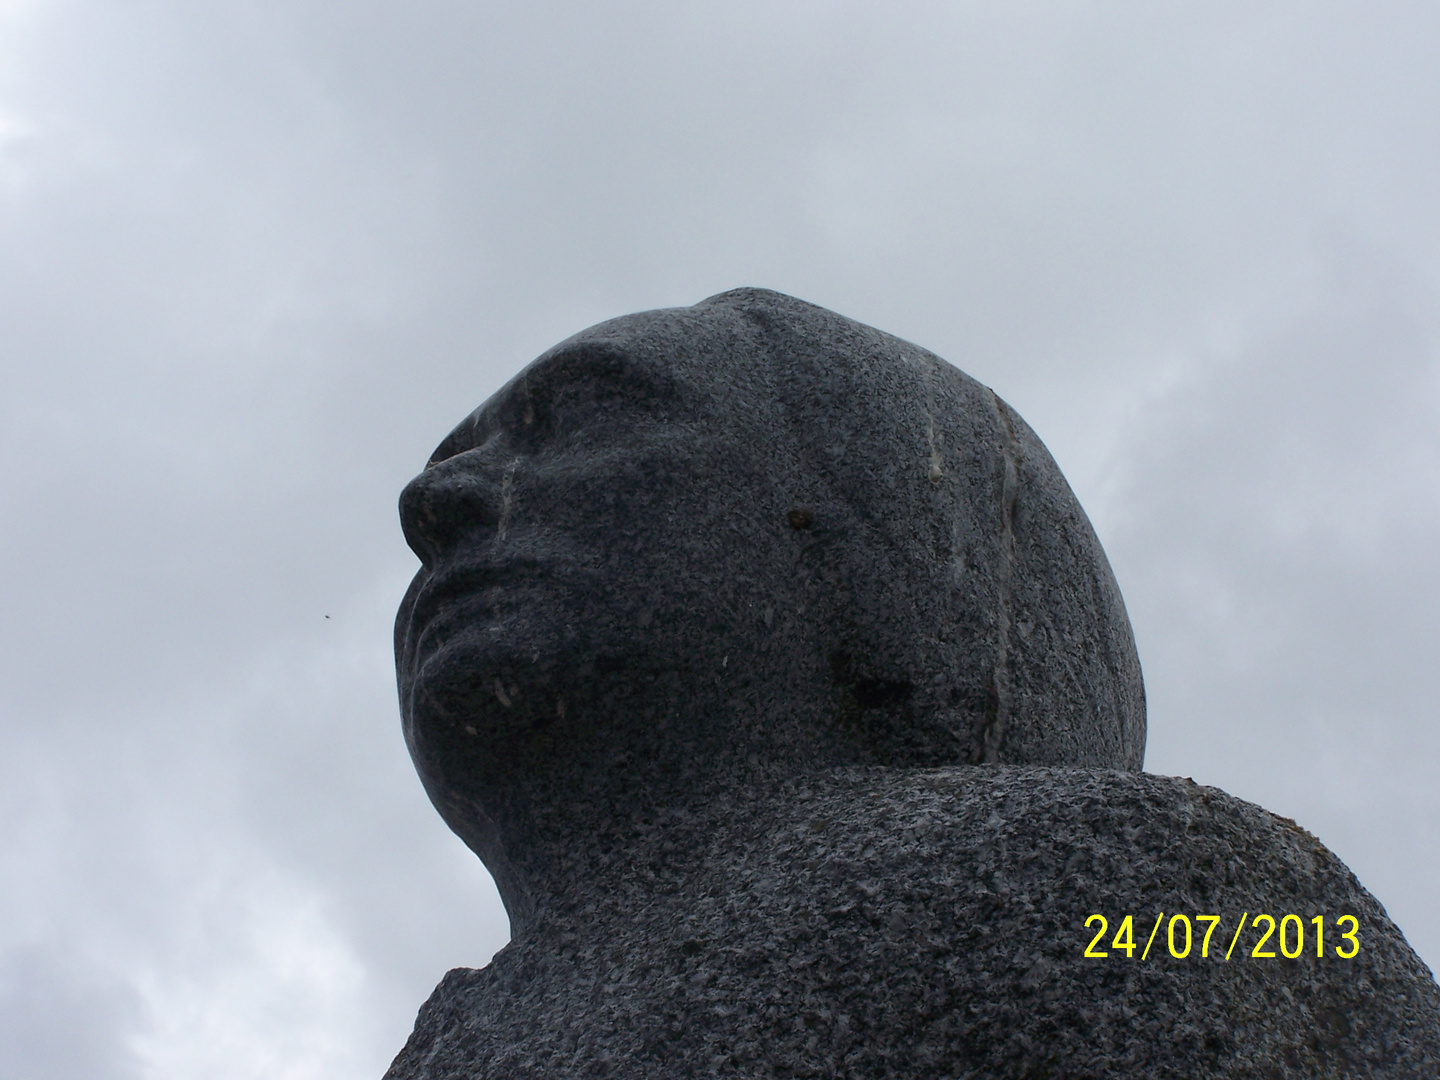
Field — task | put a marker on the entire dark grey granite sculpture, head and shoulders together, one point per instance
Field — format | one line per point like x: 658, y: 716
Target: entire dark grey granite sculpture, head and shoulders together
x: 780, y: 680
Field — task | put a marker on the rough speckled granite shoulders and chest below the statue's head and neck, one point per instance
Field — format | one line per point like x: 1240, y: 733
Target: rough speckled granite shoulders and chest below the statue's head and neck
x: 931, y: 924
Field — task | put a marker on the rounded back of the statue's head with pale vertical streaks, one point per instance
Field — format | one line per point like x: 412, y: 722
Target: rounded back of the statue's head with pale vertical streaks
x: 970, y: 611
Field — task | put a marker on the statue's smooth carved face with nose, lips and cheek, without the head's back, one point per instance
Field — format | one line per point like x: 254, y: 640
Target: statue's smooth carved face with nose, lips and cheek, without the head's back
x: 606, y: 546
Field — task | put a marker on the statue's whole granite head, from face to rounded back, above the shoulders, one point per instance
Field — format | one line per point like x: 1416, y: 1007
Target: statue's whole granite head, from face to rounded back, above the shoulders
x: 748, y: 538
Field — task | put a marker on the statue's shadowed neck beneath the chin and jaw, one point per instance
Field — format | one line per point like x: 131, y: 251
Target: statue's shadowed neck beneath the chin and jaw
x: 618, y: 813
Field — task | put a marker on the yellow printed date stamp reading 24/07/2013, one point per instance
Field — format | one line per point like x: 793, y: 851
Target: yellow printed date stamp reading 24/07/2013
x: 1183, y: 937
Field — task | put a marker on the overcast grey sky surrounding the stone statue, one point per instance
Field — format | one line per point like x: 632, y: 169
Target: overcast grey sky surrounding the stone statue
x: 258, y: 258
